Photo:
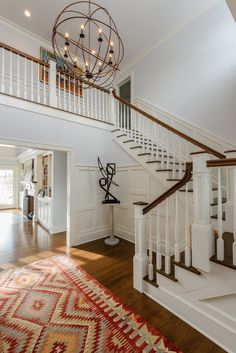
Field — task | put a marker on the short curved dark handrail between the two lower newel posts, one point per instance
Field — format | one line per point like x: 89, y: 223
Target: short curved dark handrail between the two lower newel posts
x: 187, y: 176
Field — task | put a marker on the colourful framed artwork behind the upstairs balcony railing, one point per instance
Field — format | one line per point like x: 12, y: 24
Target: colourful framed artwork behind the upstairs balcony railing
x: 67, y: 83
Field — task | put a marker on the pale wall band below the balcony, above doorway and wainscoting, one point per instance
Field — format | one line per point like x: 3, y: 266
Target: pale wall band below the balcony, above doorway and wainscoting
x: 88, y: 142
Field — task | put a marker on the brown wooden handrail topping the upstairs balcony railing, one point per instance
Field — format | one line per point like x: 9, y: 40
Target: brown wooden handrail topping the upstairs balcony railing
x: 41, y: 62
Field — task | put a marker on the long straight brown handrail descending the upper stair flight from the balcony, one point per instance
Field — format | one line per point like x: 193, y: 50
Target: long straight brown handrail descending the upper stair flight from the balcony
x: 170, y: 128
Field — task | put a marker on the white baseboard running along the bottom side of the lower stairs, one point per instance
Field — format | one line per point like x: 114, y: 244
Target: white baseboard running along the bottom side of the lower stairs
x: 212, y: 329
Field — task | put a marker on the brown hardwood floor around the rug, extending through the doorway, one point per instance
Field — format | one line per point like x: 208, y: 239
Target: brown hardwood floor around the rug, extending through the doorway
x: 22, y: 242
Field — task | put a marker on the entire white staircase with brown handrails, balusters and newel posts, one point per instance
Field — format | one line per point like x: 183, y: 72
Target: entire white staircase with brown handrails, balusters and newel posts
x: 185, y: 238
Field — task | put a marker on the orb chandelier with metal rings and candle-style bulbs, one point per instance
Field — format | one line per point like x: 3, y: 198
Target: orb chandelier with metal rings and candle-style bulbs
x: 86, y: 42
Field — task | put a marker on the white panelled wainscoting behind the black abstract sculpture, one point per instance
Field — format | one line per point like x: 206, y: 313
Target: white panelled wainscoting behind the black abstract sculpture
x: 92, y: 218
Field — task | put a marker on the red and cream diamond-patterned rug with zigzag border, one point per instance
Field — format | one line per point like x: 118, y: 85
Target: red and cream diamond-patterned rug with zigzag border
x: 54, y: 306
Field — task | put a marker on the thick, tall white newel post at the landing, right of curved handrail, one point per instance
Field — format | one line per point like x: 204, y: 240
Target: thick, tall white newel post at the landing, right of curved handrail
x: 202, y: 232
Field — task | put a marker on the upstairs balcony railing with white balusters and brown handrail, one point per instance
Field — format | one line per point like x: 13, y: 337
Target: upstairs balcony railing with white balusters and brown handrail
x: 29, y: 78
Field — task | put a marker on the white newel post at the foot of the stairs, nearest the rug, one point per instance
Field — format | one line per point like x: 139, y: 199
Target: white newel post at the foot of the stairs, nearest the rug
x: 140, y: 260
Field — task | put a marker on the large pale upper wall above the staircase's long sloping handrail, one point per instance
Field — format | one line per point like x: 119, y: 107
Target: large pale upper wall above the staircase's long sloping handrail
x: 193, y: 74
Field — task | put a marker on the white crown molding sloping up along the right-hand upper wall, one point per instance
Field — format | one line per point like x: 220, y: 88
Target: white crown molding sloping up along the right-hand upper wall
x: 195, y: 15
